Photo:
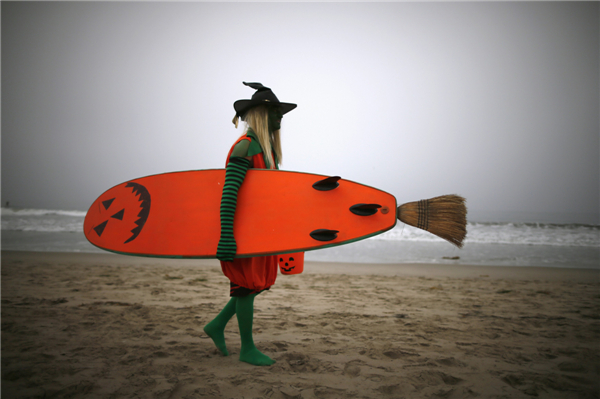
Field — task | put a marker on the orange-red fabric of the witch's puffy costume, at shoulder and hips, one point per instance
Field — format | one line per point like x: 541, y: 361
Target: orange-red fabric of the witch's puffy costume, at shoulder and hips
x: 258, y: 273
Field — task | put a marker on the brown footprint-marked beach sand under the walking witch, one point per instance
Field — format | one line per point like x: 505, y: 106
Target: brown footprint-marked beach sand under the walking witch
x: 110, y: 326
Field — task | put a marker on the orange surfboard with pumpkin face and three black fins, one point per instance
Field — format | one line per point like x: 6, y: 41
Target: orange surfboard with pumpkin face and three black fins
x: 176, y: 214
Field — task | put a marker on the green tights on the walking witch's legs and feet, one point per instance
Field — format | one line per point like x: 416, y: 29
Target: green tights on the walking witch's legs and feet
x: 243, y: 307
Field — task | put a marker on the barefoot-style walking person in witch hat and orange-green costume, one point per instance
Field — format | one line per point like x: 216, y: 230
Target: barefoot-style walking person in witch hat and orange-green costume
x: 259, y: 147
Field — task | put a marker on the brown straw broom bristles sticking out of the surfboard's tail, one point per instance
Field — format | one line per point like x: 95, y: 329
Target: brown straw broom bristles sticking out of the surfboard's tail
x: 444, y: 216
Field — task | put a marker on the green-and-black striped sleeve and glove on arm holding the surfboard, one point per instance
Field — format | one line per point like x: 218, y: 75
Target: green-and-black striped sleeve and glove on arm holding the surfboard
x: 234, y: 177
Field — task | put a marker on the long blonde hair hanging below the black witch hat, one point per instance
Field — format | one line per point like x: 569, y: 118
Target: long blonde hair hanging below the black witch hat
x: 257, y: 119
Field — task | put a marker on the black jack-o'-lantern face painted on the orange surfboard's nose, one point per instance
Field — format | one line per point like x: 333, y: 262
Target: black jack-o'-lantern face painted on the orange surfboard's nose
x: 121, y: 216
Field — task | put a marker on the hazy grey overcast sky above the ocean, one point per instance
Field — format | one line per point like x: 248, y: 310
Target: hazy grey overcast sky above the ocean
x: 498, y: 102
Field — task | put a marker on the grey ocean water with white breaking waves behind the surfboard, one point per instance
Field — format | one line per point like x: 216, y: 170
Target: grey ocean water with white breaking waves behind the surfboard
x: 497, y: 244
